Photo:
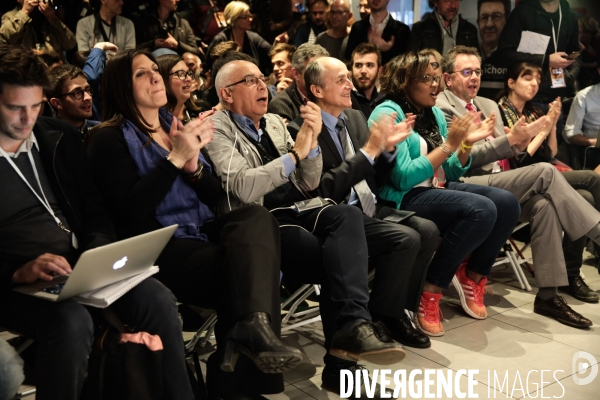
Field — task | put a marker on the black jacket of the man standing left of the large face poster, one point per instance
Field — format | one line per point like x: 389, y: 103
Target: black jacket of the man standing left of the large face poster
x: 427, y: 34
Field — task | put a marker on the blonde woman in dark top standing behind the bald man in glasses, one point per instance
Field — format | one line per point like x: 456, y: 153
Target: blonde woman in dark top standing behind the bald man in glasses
x: 239, y: 22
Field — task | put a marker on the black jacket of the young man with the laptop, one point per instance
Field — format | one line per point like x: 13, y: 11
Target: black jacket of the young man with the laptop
x: 70, y: 176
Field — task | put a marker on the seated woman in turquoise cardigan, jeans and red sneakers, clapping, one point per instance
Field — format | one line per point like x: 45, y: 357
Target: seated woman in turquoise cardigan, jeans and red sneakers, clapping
x: 473, y: 220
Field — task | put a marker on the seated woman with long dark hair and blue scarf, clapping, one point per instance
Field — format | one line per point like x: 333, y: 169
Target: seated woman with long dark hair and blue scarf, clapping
x: 152, y: 174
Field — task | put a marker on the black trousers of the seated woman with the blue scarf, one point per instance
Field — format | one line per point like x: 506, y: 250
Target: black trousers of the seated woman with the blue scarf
x: 236, y: 273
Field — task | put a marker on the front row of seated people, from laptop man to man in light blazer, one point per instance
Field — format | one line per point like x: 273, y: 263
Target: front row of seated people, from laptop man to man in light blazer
x: 219, y: 175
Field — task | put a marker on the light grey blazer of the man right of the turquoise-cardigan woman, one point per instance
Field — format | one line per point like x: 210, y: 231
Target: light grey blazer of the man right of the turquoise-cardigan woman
x: 485, y: 152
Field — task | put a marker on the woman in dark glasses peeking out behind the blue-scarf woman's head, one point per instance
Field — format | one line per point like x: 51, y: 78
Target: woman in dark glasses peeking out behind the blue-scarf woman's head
x: 179, y: 81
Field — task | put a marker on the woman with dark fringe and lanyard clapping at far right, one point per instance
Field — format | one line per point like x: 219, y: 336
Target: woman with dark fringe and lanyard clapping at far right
x: 521, y: 85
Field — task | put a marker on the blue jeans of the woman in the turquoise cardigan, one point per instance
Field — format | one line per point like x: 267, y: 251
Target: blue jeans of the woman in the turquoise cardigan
x: 472, y: 219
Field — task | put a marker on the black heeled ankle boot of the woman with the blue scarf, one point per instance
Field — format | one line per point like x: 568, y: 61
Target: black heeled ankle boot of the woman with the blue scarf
x: 252, y: 336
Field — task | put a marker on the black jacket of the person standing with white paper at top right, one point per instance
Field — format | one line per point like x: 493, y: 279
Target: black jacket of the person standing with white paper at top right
x: 530, y: 16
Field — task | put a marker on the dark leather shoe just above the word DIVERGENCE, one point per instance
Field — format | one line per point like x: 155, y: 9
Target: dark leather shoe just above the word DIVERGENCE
x: 360, y: 342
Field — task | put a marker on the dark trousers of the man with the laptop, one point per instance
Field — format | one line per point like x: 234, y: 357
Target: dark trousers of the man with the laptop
x: 64, y: 331
